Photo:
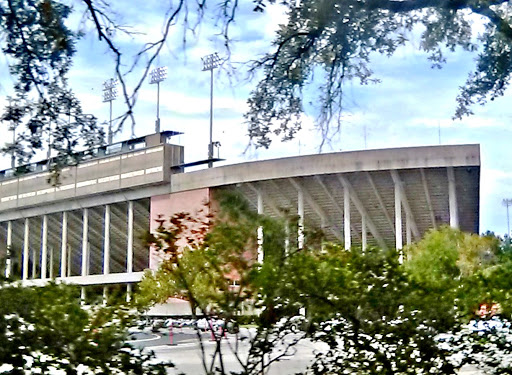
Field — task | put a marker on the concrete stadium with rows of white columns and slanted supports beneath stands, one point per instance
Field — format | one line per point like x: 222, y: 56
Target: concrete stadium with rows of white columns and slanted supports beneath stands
x: 87, y: 230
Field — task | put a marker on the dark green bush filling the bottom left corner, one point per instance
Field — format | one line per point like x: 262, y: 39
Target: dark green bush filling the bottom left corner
x: 46, y: 330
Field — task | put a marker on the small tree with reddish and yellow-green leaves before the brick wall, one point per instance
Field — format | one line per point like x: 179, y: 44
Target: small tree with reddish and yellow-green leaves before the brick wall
x: 204, y: 256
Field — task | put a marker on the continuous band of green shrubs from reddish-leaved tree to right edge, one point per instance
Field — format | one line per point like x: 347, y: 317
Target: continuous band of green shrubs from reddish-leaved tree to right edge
x: 376, y: 315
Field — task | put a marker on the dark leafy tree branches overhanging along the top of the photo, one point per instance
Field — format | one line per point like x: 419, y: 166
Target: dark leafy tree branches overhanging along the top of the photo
x: 323, y: 45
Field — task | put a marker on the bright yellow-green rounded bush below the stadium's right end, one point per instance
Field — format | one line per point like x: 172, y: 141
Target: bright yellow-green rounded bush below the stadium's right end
x: 454, y: 272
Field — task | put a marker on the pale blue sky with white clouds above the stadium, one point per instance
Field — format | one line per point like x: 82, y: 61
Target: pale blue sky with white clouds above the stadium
x: 410, y: 107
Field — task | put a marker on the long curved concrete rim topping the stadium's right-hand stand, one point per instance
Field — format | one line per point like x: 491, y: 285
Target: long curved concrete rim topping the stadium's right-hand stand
x: 331, y: 163
